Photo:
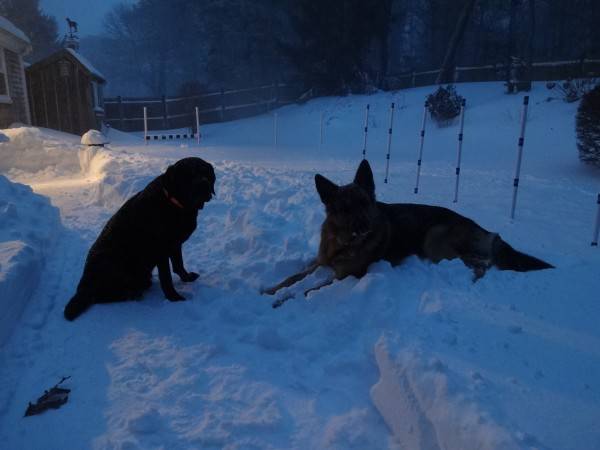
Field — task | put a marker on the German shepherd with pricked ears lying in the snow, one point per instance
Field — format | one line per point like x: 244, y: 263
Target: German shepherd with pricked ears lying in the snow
x: 358, y: 231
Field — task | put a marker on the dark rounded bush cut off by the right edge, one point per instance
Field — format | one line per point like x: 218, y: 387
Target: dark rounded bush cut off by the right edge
x: 588, y: 127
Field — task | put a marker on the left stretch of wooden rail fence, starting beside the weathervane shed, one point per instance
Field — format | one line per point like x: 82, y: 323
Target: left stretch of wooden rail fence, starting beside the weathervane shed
x: 163, y: 113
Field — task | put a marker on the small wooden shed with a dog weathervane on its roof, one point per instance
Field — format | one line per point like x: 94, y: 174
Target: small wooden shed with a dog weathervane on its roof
x: 66, y: 93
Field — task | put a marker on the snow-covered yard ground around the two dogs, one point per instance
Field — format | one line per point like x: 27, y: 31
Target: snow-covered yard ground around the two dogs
x: 412, y: 357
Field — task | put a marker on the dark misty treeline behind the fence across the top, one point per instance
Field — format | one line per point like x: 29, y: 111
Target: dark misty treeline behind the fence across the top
x: 172, y: 47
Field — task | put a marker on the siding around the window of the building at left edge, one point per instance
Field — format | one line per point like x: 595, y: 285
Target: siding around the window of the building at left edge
x: 17, y: 110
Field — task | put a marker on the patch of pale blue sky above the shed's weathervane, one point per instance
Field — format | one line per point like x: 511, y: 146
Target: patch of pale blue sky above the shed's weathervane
x: 89, y: 14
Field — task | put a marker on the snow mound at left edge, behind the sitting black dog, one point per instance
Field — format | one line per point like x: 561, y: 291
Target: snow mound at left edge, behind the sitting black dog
x: 28, y: 227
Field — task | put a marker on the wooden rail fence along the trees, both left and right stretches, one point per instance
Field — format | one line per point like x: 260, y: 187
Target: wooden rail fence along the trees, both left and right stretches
x: 126, y: 113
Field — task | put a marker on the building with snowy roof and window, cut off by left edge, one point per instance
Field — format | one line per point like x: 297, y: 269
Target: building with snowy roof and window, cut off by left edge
x: 14, y: 44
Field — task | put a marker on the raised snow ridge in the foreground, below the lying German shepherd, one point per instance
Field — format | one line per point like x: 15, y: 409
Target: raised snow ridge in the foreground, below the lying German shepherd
x: 424, y: 411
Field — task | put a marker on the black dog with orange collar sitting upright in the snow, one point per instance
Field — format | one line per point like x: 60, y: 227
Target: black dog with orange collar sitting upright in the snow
x: 145, y: 233
